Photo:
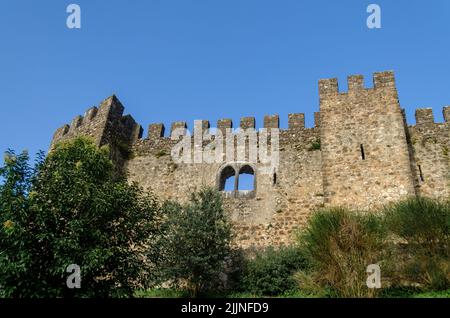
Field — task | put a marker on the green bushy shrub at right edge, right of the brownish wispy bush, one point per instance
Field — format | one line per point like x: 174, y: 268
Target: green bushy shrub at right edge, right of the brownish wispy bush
x: 421, y: 230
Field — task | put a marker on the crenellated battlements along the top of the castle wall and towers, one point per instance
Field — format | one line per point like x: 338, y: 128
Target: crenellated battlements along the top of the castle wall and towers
x: 96, y: 119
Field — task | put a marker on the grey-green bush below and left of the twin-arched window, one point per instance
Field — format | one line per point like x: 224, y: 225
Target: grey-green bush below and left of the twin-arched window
x: 195, y: 242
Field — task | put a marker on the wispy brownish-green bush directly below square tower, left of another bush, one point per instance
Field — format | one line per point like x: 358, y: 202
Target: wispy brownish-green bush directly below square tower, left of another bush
x: 340, y: 245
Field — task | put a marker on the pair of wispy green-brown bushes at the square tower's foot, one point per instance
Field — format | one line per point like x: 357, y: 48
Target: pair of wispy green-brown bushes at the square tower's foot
x: 410, y: 240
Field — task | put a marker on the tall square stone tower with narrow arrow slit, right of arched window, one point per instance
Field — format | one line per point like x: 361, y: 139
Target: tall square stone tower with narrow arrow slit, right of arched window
x: 365, y: 156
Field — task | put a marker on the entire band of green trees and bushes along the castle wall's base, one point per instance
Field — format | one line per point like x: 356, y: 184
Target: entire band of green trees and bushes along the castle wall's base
x: 72, y: 208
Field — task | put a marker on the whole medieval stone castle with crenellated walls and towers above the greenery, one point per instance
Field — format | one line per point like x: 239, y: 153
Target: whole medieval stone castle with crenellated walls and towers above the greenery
x: 360, y: 154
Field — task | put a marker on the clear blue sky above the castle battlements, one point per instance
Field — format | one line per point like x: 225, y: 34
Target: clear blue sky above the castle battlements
x: 172, y: 60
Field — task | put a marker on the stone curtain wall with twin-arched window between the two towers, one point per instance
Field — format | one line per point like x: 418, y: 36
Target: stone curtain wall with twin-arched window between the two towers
x: 279, y: 204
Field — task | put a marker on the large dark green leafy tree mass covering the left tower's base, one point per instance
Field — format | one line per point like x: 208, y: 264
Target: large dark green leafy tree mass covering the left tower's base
x: 72, y: 211
